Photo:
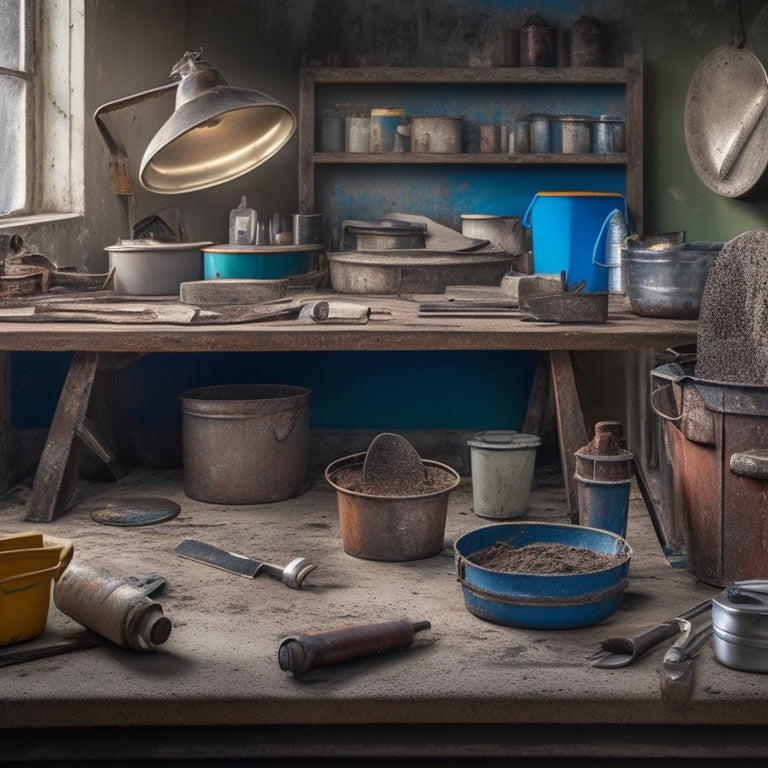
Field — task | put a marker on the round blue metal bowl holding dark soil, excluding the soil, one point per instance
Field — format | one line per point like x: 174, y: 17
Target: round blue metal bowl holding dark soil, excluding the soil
x: 534, y: 601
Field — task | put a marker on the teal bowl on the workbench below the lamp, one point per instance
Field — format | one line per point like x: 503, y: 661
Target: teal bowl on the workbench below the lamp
x: 261, y: 262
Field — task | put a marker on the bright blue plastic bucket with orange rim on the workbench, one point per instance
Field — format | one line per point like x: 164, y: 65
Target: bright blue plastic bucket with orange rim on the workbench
x: 565, y: 228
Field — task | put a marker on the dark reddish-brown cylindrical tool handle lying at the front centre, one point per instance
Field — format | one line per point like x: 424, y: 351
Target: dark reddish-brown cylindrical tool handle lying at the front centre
x: 305, y: 652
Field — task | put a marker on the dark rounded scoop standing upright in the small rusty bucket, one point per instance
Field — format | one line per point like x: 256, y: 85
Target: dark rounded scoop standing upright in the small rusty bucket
x: 392, y: 462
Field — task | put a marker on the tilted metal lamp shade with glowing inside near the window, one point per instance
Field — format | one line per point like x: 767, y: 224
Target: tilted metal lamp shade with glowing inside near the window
x: 214, y: 137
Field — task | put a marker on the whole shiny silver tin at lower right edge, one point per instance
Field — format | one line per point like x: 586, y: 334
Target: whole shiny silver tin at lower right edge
x: 740, y: 626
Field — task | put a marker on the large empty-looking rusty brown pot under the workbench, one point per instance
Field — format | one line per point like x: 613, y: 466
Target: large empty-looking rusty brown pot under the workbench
x: 245, y: 443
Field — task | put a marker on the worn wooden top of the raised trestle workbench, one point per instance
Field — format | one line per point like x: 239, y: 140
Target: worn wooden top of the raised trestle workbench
x: 396, y: 324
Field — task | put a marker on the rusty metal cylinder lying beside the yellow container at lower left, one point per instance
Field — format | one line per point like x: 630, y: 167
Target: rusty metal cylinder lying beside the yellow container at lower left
x: 111, y: 607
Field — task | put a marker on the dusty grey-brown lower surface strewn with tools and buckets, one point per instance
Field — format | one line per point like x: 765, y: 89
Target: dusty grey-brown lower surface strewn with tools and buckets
x: 219, y: 668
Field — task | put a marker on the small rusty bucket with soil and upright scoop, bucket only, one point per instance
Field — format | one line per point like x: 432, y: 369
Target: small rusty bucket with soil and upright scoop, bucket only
x: 391, y: 528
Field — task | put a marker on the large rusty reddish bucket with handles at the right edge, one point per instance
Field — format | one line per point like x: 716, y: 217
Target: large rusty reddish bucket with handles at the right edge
x: 717, y: 435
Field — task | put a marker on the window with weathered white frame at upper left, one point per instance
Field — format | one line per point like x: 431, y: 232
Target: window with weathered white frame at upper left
x: 41, y: 98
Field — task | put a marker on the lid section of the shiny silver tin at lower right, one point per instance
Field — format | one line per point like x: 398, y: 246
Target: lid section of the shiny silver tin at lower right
x: 741, y: 612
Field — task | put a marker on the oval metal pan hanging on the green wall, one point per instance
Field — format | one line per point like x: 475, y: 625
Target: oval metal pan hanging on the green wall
x: 726, y: 121
